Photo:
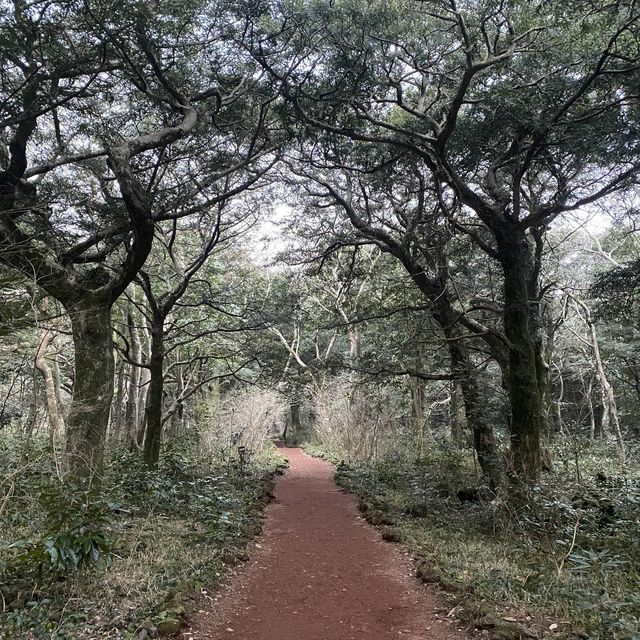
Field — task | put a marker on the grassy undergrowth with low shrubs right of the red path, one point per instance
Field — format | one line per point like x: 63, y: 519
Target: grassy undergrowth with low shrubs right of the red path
x: 563, y: 558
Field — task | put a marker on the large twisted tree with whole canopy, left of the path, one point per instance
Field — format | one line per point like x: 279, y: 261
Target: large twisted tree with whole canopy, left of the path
x: 103, y: 113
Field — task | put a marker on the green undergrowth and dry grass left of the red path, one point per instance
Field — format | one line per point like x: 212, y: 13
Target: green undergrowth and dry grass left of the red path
x: 81, y: 565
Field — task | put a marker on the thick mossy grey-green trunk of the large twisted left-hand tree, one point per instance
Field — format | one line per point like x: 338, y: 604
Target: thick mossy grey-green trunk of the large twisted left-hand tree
x: 92, y: 387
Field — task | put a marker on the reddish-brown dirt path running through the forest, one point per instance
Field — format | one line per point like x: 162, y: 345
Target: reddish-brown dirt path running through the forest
x: 319, y: 572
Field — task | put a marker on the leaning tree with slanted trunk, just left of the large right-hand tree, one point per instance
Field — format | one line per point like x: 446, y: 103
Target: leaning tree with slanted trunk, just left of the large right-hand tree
x: 388, y: 204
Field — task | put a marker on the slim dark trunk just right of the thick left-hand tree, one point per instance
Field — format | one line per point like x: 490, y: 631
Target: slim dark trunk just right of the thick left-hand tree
x: 153, y: 415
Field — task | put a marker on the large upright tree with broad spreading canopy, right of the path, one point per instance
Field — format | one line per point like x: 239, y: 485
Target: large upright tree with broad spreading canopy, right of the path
x: 509, y: 148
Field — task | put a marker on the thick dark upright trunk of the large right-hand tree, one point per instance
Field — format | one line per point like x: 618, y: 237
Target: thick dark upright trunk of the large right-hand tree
x: 523, y: 334
